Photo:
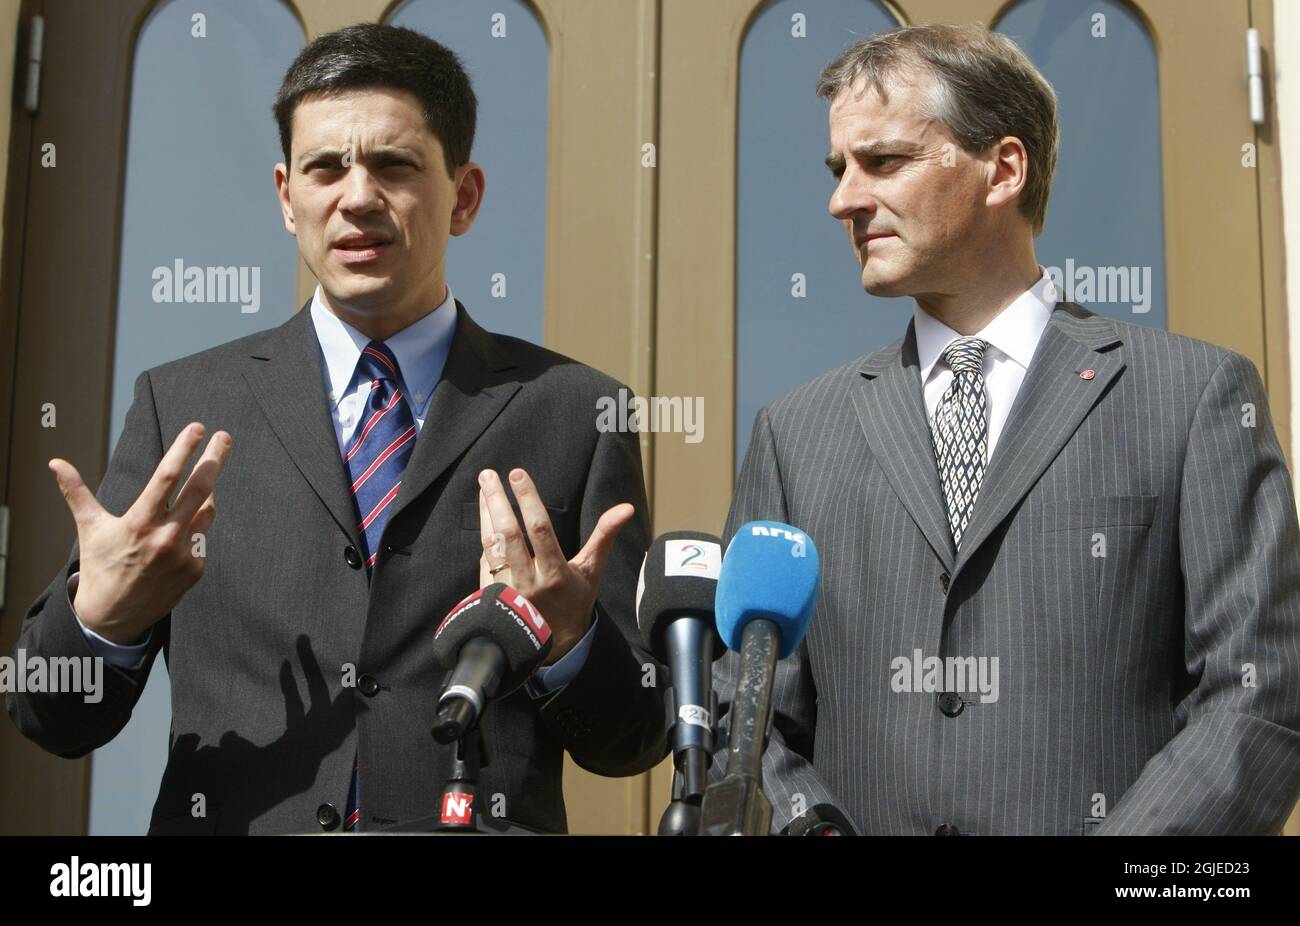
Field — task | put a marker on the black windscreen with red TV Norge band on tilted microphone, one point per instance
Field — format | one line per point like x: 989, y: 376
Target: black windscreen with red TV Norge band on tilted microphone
x: 505, y: 617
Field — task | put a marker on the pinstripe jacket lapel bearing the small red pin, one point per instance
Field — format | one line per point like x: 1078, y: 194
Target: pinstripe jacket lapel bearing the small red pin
x: 1051, y: 405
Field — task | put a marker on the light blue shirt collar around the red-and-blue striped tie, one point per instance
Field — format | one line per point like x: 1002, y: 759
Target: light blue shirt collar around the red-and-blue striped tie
x: 422, y: 349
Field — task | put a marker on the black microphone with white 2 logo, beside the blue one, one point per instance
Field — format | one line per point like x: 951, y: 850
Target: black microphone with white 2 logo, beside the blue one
x: 675, y: 615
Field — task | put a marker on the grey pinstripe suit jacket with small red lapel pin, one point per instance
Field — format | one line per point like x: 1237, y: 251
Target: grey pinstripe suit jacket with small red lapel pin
x: 1152, y: 690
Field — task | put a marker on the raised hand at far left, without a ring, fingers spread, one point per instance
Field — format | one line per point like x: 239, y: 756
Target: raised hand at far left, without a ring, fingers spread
x: 137, y: 568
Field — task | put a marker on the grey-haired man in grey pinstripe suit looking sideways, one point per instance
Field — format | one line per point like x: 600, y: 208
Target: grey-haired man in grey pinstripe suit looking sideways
x: 1097, y: 510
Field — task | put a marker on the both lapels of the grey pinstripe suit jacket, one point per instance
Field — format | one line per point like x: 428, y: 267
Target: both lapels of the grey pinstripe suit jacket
x: 1052, y: 403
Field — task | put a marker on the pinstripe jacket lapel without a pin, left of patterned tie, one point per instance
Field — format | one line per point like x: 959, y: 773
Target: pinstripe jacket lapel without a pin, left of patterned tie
x: 892, y: 413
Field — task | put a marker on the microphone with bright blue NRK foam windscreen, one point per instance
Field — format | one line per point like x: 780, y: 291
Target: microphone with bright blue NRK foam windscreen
x: 766, y: 594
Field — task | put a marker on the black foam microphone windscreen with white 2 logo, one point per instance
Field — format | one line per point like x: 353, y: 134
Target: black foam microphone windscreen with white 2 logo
x: 679, y: 579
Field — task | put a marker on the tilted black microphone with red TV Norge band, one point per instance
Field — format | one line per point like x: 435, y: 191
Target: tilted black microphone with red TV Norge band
x: 493, y: 639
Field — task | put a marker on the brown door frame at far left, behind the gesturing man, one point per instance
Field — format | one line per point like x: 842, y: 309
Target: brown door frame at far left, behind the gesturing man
x: 67, y: 335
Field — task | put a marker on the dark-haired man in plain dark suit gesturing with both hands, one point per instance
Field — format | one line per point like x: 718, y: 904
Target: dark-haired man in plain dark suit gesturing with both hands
x: 362, y: 449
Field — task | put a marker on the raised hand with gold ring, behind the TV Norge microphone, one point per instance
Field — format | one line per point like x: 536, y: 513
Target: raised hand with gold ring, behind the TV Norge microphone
x: 562, y: 590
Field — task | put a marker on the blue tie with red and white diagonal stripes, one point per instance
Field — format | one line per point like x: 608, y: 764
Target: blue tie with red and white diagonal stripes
x: 376, y: 460
